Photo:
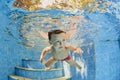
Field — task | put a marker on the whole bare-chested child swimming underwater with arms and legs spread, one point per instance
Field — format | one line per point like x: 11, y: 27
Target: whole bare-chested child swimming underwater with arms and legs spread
x: 59, y: 49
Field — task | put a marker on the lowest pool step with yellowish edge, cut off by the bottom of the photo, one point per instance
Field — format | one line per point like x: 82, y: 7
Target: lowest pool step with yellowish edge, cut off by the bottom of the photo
x: 15, y: 77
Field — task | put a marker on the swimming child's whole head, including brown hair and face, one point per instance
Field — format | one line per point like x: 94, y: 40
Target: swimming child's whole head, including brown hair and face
x: 57, y: 38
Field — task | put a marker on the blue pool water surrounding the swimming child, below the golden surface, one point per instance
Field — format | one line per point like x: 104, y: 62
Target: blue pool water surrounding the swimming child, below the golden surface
x: 97, y: 33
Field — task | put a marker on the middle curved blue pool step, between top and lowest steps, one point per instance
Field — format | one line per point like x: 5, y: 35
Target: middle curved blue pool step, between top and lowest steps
x: 38, y: 73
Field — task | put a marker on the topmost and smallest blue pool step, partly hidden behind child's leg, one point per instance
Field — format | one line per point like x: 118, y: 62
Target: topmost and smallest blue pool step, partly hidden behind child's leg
x: 35, y: 63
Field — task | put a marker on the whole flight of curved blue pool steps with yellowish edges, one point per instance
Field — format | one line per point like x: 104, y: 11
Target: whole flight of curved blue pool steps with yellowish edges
x: 32, y: 69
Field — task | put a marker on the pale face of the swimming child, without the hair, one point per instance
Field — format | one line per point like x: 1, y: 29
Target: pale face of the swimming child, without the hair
x: 58, y: 40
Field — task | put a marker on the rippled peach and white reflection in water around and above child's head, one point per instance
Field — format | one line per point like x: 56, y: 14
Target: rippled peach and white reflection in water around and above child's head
x: 77, y: 24
